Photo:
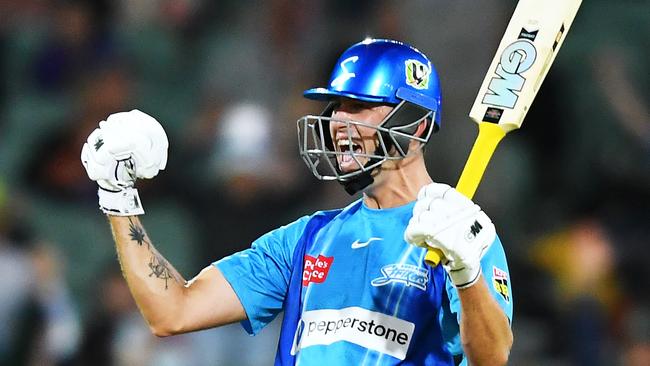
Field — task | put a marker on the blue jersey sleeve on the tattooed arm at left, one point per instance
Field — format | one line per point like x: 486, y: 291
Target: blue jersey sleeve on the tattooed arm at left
x: 260, y: 275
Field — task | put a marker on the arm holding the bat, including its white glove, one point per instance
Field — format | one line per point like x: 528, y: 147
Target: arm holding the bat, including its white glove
x: 446, y: 220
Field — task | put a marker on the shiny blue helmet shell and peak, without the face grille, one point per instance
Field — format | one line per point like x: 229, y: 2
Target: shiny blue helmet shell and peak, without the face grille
x: 384, y: 71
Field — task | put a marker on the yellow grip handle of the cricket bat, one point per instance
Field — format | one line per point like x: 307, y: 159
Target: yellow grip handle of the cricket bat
x: 489, y: 136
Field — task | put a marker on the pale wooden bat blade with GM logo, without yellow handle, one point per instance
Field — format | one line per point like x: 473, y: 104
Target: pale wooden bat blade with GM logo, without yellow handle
x: 527, y: 50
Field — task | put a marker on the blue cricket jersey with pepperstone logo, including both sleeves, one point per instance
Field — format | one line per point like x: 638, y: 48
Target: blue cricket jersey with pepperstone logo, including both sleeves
x: 354, y: 292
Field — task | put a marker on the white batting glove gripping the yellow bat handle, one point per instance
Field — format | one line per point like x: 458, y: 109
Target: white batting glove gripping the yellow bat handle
x: 446, y: 220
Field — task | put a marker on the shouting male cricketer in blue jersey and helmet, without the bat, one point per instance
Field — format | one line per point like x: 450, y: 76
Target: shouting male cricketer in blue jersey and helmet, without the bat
x: 353, y: 289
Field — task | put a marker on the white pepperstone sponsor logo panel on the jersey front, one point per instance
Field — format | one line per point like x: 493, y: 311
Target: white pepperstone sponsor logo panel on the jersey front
x: 369, y: 329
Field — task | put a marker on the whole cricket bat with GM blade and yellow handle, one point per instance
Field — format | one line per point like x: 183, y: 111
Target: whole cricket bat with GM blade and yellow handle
x: 531, y: 41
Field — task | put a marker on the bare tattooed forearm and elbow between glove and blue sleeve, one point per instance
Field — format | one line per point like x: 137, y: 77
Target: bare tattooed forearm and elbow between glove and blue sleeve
x: 169, y: 303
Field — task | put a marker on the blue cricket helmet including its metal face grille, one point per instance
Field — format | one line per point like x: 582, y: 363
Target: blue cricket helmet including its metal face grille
x: 377, y: 71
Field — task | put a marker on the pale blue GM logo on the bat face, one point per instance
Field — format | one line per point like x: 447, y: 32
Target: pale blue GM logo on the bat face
x: 516, y: 59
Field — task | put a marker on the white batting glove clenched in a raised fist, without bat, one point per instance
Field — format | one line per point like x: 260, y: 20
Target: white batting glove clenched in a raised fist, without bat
x: 127, y: 146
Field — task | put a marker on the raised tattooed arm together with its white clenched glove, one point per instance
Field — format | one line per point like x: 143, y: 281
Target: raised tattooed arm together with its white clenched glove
x: 132, y: 145
